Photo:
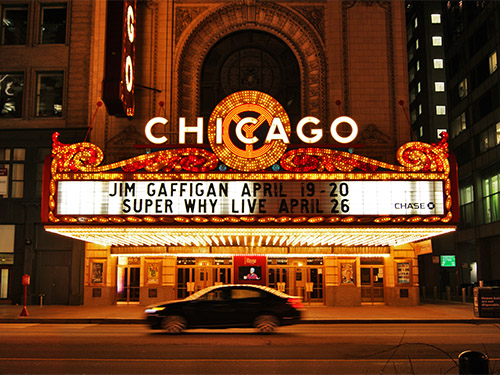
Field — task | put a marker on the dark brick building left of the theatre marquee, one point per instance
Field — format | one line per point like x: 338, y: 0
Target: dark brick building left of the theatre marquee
x: 46, y: 80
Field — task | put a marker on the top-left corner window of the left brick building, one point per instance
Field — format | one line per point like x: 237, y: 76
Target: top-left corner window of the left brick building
x: 14, y: 24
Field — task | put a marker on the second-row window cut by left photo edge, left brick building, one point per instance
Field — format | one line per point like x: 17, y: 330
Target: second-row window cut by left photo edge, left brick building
x: 11, y: 94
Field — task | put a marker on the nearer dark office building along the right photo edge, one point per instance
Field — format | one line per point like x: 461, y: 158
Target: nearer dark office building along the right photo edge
x: 472, y: 33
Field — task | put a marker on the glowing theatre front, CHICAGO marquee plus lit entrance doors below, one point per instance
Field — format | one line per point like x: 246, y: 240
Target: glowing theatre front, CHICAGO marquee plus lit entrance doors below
x: 329, y: 225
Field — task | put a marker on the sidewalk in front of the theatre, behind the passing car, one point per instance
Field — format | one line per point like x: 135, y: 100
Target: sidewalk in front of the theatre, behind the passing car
x: 314, y: 314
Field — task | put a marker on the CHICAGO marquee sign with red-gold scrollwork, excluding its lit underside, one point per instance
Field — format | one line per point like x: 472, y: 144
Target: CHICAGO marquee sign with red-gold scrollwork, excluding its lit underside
x: 249, y: 176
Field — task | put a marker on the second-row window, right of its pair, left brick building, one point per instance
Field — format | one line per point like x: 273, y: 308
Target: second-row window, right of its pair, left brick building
x: 49, y: 94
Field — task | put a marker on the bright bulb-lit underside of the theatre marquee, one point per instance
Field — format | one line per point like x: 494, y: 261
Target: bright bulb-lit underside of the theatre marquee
x: 229, y: 236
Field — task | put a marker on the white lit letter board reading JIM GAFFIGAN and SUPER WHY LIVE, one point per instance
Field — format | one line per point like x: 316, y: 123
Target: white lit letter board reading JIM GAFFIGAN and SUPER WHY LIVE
x: 191, y: 198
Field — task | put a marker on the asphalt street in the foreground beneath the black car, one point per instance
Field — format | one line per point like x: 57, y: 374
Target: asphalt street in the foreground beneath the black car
x: 301, y: 349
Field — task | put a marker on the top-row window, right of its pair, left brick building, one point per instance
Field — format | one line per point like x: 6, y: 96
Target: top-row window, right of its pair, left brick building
x: 53, y: 24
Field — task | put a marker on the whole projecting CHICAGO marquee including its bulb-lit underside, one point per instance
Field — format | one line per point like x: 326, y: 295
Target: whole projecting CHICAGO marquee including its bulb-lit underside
x: 303, y: 195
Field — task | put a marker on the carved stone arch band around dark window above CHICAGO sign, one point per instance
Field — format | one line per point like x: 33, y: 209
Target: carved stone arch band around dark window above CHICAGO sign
x: 285, y: 23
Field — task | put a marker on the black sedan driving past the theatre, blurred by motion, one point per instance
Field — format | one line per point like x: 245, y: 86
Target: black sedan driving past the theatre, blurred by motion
x: 227, y: 306
